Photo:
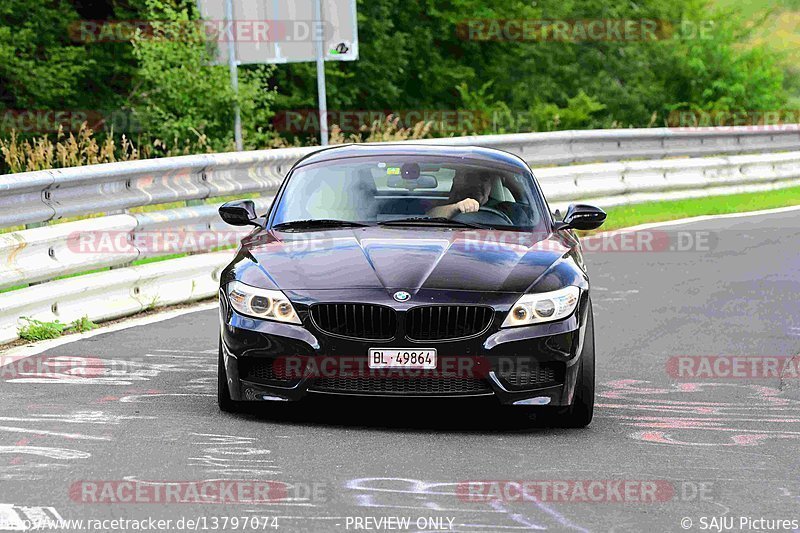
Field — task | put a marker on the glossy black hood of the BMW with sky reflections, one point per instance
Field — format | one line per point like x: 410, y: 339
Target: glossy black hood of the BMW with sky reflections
x: 404, y: 258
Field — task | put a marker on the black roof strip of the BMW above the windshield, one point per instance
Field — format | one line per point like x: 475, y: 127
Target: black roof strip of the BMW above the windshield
x: 412, y: 149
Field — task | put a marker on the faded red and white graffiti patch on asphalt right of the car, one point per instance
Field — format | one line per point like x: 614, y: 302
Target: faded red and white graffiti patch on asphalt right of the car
x: 701, y: 414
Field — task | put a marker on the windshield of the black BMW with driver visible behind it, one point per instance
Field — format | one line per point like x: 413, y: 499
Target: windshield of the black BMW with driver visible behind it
x: 396, y: 190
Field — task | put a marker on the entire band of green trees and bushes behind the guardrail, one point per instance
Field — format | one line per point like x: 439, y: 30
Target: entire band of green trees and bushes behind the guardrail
x: 414, y: 56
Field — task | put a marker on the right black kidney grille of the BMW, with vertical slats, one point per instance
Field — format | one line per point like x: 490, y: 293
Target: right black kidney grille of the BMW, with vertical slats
x: 441, y: 322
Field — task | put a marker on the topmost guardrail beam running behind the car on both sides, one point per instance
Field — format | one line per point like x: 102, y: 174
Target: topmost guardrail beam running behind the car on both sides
x: 35, y: 197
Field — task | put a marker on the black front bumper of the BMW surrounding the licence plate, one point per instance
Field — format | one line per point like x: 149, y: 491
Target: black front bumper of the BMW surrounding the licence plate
x: 529, y: 365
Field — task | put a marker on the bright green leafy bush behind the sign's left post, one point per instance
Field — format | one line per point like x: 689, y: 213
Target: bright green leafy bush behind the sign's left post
x: 179, y: 94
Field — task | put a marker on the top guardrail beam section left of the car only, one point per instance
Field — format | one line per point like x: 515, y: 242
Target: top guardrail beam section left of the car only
x: 45, y: 195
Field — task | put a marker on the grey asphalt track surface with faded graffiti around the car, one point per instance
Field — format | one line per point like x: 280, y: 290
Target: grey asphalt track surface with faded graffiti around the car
x: 139, y: 405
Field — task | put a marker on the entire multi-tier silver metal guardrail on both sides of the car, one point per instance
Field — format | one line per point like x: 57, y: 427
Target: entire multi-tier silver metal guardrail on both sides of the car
x: 44, y: 253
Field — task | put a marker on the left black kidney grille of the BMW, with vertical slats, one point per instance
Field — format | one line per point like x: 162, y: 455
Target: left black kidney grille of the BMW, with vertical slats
x: 360, y: 321
